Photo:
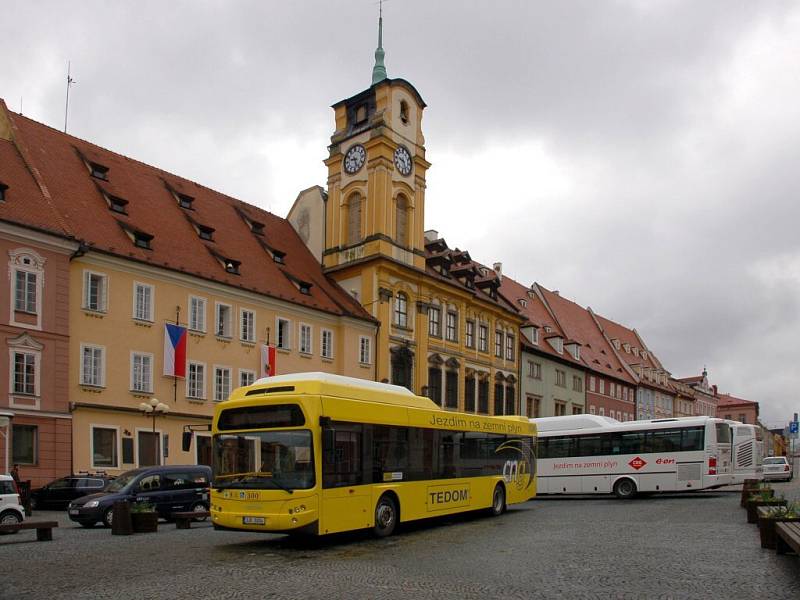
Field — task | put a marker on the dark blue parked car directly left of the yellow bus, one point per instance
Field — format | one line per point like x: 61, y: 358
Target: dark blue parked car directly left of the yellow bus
x: 170, y: 489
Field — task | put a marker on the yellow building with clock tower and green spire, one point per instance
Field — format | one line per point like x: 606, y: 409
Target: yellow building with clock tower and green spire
x: 446, y: 331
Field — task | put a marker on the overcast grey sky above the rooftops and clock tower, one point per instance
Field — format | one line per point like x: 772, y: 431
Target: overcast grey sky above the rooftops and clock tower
x: 639, y: 156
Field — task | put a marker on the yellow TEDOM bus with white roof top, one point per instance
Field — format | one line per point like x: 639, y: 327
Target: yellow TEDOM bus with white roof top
x: 316, y: 453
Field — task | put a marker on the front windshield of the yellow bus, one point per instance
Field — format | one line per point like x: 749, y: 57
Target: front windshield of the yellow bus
x: 264, y: 460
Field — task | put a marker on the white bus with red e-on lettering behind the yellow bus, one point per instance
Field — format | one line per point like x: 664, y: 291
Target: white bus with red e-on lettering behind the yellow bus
x: 586, y: 454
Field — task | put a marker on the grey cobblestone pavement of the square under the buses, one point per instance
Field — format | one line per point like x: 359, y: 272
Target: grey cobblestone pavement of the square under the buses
x: 683, y: 546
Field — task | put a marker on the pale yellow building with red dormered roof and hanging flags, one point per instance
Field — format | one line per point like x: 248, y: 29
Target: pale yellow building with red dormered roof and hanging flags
x: 152, y: 249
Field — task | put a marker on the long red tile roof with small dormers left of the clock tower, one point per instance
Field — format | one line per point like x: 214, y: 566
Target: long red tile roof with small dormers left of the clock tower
x: 60, y: 160
